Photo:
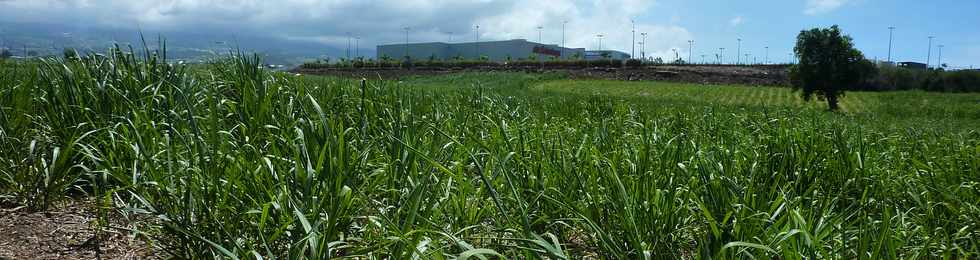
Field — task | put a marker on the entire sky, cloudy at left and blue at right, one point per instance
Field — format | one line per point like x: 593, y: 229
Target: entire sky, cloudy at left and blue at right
x: 669, y: 24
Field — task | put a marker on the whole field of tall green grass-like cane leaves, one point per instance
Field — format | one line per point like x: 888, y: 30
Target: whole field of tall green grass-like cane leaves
x: 232, y: 161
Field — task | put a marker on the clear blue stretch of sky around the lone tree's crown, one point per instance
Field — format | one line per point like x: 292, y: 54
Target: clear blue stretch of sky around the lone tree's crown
x: 772, y: 23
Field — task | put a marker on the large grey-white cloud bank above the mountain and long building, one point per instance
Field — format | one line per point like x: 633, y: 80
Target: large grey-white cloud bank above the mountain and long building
x: 376, y: 21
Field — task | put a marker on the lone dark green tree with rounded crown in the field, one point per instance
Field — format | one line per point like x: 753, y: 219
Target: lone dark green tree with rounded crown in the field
x: 828, y: 64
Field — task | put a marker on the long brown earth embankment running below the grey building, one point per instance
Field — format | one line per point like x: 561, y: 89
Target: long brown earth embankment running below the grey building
x: 744, y: 75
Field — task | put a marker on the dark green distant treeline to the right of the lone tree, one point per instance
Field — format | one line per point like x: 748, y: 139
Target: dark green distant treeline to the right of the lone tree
x: 889, y: 78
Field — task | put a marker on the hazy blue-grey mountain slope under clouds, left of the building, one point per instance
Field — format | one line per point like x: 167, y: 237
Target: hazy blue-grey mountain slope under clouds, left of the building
x: 51, y: 39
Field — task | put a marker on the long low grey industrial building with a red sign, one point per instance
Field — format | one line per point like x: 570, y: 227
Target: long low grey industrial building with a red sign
x: 494, y: 50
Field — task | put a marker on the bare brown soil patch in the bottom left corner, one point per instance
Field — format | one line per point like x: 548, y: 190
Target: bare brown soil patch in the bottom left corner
x: 67, y: 231
